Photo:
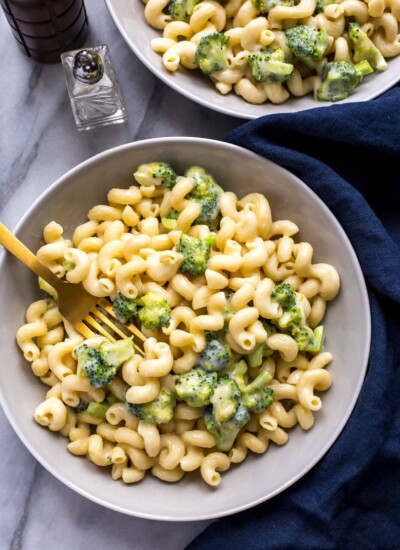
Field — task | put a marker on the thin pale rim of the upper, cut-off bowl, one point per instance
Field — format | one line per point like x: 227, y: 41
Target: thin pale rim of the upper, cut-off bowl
x: 164, y: 76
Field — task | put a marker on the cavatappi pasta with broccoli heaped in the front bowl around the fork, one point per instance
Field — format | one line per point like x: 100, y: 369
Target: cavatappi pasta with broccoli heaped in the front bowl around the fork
x: 234, y: 353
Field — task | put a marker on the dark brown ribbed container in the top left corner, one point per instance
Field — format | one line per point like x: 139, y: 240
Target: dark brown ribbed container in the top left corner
x: 46, y: 28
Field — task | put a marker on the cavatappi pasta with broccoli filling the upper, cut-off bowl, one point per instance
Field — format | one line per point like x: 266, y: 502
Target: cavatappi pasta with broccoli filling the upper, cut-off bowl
x: 269, y: 50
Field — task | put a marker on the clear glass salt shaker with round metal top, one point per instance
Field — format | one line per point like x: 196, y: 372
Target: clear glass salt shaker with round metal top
x: 93, y: 88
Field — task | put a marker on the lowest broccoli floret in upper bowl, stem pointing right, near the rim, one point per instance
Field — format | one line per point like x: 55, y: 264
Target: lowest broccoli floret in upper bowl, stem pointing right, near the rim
x: 339, y: 78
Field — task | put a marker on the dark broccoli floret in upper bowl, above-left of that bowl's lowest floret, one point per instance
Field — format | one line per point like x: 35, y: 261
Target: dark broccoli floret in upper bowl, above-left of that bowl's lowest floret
x: 308, y: 45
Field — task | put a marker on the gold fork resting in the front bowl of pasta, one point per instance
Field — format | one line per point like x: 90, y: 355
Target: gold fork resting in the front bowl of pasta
x: 88, y: 314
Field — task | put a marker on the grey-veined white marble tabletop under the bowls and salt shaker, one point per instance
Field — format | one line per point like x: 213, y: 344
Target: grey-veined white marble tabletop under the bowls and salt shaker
x: 38, y: 143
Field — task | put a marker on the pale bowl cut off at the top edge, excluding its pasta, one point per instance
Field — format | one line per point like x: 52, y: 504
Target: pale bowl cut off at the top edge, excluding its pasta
x: 129, y: 19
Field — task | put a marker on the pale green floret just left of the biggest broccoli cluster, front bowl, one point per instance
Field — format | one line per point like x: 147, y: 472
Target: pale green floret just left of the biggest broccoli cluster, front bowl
x: 196, y: 387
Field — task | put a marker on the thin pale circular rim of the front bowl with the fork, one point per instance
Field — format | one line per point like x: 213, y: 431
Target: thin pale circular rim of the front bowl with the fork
x: 363, y: 362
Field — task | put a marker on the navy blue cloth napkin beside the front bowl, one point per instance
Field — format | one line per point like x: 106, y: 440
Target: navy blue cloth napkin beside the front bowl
x: 350, y: 156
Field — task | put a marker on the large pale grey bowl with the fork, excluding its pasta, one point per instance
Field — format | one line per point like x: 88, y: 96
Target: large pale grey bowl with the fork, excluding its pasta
x: 348, y: 331
